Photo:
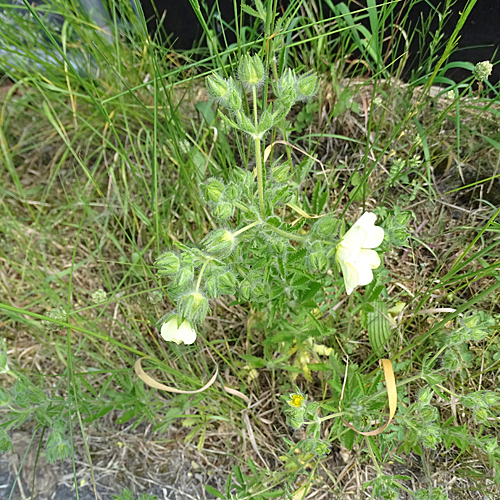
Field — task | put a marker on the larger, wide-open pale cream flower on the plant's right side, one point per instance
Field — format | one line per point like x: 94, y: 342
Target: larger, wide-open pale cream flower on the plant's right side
x: 354, y: 255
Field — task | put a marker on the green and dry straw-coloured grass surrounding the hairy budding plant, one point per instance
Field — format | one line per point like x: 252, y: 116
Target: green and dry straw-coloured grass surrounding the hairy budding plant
x: 100, y: 174
